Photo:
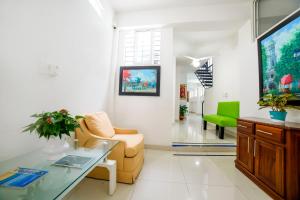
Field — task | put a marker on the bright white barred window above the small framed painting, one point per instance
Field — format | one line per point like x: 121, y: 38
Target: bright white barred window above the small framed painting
x: 142, y: 47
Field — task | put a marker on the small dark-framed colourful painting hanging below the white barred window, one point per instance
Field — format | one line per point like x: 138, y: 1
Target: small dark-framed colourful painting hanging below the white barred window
x: 140, y: 81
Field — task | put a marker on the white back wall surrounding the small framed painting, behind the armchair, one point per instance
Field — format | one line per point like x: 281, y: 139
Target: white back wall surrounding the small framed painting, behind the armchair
x: 152, y: 116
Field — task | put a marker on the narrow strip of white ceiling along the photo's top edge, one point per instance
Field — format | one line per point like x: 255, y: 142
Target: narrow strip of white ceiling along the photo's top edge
x: 138, y: 5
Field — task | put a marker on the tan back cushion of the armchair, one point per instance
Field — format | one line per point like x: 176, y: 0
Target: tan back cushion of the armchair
x: 99, y: 124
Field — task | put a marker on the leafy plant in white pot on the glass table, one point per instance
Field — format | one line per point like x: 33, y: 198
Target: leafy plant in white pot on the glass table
x: 54, y: 126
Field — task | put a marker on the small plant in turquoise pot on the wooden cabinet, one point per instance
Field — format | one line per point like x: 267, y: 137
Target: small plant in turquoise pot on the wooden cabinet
x: 278, y: 104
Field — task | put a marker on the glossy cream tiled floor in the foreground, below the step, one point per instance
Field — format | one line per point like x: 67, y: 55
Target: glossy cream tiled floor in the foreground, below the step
x: 168, y: 177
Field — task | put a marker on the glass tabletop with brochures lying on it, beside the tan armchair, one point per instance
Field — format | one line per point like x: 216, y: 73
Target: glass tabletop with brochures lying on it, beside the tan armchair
x: 58, y: 180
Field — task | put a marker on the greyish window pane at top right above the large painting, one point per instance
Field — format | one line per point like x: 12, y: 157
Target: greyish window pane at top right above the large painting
x: 267, y: 13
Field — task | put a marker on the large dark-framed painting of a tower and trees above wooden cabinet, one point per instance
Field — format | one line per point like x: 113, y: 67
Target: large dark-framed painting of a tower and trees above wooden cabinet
x: 279, y: 58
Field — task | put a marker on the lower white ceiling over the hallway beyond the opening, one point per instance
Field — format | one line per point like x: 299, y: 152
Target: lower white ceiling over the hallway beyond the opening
x: 200, y: 39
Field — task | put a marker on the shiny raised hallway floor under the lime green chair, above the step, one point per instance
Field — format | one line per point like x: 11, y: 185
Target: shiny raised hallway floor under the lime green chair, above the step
x: 191, y: 131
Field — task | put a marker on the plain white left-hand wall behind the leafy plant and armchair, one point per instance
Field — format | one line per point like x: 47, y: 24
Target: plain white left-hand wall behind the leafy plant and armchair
x: 34, y: 34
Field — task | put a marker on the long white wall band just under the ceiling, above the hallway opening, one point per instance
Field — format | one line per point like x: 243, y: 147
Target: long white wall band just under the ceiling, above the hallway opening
x: 183, y: 14
